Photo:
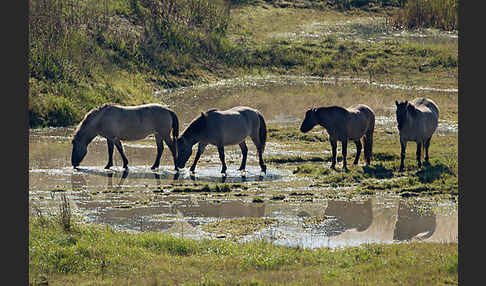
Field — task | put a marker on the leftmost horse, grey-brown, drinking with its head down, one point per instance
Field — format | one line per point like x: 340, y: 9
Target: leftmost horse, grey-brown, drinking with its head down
x: 126, y: 123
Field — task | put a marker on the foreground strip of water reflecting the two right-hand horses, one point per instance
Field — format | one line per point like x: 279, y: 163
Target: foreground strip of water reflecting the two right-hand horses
x: 325, y: 223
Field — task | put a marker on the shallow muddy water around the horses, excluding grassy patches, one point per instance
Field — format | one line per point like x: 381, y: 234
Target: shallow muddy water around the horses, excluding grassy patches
x: 144, y: 200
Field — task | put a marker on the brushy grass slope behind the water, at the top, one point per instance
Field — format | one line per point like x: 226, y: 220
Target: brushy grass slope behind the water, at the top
x: 81, y: 56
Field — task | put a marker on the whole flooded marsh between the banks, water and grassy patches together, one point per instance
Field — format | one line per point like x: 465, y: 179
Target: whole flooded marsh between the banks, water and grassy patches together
x: 299, y: 185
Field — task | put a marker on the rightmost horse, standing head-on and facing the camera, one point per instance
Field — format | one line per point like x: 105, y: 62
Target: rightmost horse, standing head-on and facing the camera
x: 417, y: 121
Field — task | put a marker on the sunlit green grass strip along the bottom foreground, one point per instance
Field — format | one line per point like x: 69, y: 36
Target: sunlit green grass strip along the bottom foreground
x: 93, y: 255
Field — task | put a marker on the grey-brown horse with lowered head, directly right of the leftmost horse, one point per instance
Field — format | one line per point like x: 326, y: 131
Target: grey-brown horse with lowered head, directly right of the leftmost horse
x: 223, y: 128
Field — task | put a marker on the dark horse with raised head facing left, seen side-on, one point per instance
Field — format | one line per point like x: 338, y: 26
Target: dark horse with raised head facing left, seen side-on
x: 343, y: 124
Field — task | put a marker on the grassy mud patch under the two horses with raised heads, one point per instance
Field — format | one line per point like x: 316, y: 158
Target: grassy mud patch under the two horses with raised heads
x: 439, y: 179
